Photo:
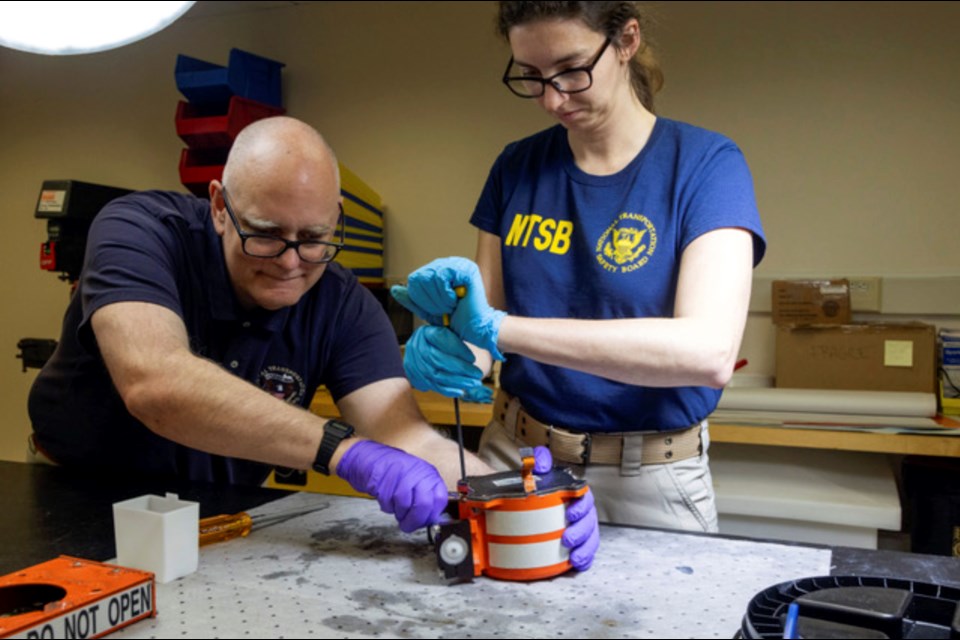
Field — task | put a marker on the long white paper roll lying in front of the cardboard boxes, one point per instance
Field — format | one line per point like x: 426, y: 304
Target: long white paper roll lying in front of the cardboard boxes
x: 876, y: 403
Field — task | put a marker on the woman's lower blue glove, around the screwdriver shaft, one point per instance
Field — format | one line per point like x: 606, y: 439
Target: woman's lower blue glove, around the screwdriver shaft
x: 435, y: 359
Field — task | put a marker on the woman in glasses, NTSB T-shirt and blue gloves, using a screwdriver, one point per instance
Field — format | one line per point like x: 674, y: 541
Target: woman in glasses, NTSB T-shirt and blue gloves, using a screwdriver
x: 612, y: 277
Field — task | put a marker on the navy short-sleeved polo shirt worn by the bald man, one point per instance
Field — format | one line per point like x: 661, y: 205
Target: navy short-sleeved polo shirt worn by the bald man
x: 162, y: 248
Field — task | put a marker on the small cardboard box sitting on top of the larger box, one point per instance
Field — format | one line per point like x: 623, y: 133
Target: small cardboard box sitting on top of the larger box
x: 811, y: 302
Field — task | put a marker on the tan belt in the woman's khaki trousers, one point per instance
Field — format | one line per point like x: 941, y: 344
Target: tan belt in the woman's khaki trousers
x: 580, y: 447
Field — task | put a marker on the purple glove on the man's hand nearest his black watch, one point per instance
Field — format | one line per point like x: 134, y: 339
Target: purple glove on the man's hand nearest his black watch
x: 404, y: 485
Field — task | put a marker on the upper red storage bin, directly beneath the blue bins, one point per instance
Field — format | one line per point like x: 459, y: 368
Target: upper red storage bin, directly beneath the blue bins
x: 208, y: 126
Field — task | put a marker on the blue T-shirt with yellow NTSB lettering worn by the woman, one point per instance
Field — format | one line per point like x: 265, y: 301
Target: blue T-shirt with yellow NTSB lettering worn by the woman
x: 581, y: 246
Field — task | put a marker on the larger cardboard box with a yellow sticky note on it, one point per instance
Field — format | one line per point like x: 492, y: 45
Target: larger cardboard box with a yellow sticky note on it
x: 869, y: 357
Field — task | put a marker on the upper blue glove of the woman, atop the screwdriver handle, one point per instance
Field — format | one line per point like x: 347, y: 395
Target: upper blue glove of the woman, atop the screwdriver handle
x: 430, y: 293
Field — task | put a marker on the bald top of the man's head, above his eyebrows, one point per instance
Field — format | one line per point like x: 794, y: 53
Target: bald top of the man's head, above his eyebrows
x: 280, y: 154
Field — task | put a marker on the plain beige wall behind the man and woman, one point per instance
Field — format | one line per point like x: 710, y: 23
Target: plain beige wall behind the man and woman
x: 847, y: 114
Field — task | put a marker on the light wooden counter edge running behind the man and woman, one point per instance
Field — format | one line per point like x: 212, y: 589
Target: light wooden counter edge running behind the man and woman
x: 439, y: 411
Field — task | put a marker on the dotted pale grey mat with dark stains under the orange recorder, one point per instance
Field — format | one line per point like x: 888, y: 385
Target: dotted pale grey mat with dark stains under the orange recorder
x: 346, y: 570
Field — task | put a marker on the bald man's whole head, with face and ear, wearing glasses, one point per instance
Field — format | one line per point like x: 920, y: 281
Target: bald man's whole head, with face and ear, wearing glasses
x: 283, y: 183
